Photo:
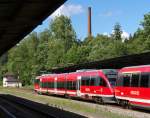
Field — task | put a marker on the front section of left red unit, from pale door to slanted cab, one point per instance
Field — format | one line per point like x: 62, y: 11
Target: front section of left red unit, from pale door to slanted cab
x: 97, y: 86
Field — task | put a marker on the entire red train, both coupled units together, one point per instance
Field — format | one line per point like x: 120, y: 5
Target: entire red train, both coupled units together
x: 128, y: 86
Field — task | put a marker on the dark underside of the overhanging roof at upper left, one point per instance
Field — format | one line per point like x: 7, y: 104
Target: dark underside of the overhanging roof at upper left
x: 19, y: 17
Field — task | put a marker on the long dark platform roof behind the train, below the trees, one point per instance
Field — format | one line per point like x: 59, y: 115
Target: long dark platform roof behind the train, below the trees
x: 116, y: 63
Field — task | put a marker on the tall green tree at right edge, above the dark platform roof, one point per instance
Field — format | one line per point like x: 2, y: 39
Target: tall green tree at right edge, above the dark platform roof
x: 141, y: 38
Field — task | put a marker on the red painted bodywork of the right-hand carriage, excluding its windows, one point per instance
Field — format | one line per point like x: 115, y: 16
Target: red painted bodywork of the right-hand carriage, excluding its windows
x: 135, y: 95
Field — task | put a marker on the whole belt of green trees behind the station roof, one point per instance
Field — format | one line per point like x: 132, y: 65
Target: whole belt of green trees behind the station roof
x: 58, y: 46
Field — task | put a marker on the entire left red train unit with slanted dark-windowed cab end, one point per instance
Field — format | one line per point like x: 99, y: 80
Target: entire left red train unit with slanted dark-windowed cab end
x: 87, y: 84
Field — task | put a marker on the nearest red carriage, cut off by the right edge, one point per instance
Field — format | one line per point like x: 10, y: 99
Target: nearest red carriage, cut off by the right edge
x: 133, y: 86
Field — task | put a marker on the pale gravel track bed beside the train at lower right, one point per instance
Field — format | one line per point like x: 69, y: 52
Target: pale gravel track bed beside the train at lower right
x: 133, y: 112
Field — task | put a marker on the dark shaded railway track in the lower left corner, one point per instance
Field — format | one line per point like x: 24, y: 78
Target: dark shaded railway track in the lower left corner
x: 15, y: 107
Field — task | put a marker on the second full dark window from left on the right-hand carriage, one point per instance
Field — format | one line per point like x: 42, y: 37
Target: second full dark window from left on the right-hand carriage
x: 135, y: 79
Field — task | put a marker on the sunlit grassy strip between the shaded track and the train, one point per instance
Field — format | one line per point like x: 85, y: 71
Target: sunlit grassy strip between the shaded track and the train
x: 66, y: 104
